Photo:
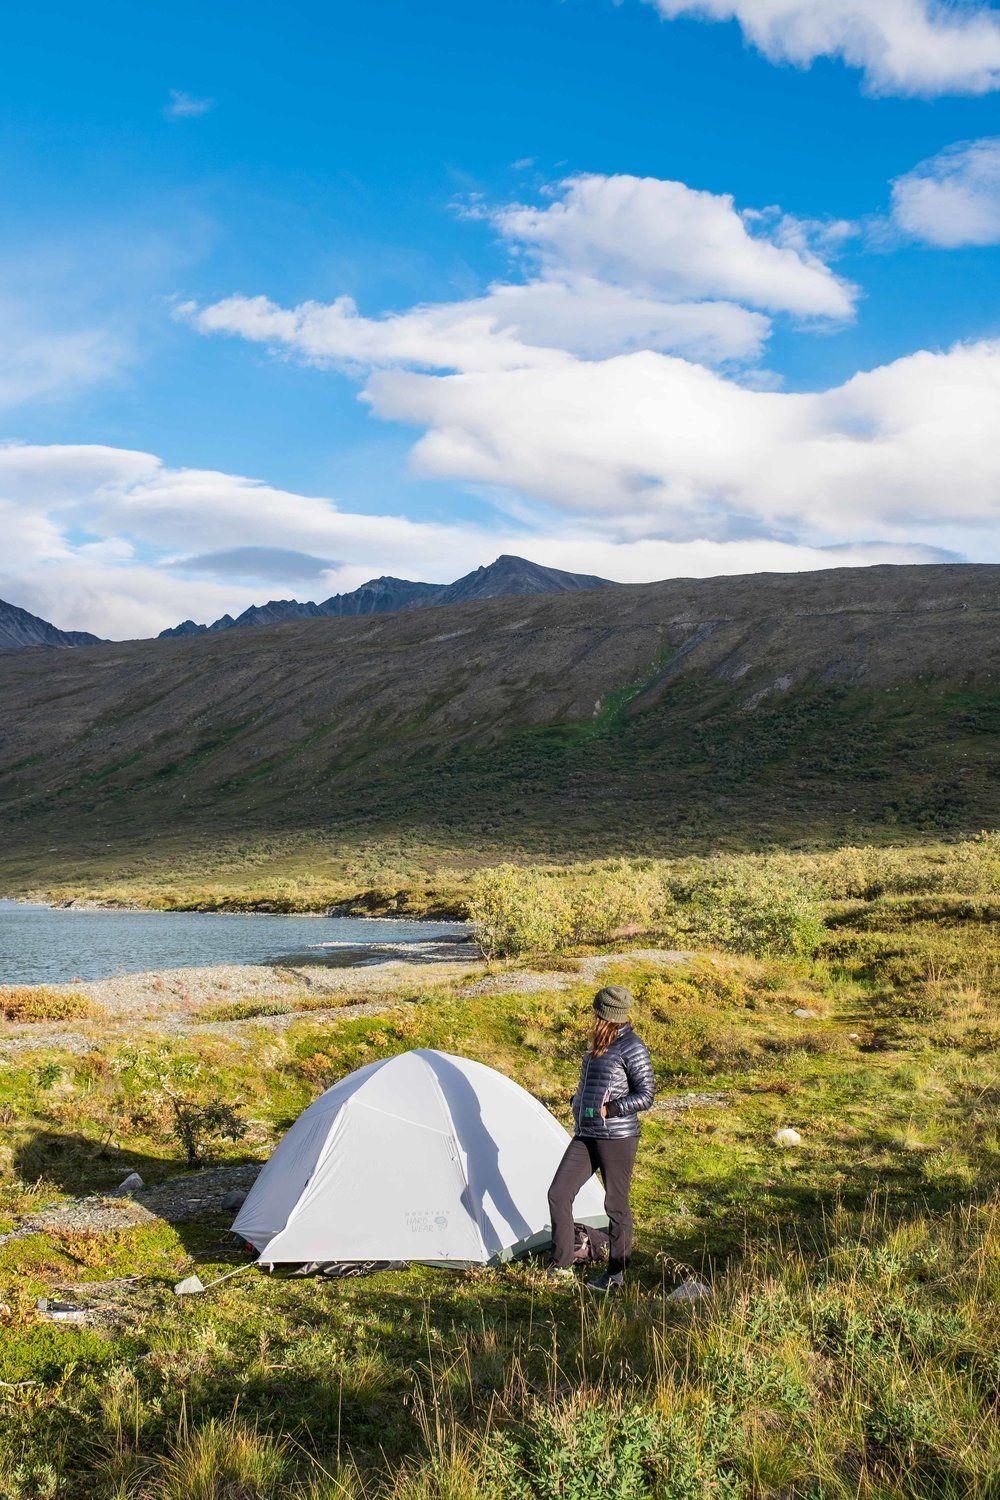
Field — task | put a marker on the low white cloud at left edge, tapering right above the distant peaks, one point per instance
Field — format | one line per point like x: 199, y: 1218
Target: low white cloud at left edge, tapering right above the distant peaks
x: 98, y: 539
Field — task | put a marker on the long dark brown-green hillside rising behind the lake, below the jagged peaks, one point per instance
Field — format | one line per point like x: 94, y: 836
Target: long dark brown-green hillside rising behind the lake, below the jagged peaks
x: 852, y: 706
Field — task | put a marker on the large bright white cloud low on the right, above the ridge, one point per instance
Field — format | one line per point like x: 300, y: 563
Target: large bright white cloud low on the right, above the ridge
x: 668, y: 448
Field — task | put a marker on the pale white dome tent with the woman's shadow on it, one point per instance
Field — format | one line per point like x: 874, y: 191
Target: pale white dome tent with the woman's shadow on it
x: 421, y: 1157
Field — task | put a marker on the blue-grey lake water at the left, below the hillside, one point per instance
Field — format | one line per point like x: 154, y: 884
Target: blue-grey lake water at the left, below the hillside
x: 55, y: 946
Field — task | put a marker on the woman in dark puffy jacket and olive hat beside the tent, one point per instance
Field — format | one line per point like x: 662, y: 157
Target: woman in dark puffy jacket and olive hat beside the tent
x: 615, y: 1088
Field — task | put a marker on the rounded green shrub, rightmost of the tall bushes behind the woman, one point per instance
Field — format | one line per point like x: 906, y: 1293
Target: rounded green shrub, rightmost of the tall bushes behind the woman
x: 758, y: 911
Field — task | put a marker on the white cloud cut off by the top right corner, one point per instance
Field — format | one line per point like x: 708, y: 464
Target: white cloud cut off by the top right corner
x: 903, y: 47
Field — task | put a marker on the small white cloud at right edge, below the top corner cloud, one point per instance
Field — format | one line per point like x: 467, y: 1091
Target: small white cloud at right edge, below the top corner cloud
x: 953, y: 199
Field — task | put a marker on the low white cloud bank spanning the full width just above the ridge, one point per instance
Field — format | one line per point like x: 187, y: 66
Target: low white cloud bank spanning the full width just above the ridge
x: 639, y: 467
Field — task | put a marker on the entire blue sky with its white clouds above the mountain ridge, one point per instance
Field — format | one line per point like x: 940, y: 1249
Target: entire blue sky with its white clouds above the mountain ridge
x: 163, y: 167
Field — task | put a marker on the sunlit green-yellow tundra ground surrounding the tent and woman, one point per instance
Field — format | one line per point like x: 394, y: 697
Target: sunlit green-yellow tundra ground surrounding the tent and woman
x: 849, y: 1343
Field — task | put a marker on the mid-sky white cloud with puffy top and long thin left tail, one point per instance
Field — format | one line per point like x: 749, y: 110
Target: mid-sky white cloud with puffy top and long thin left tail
x: 612, y: 265
